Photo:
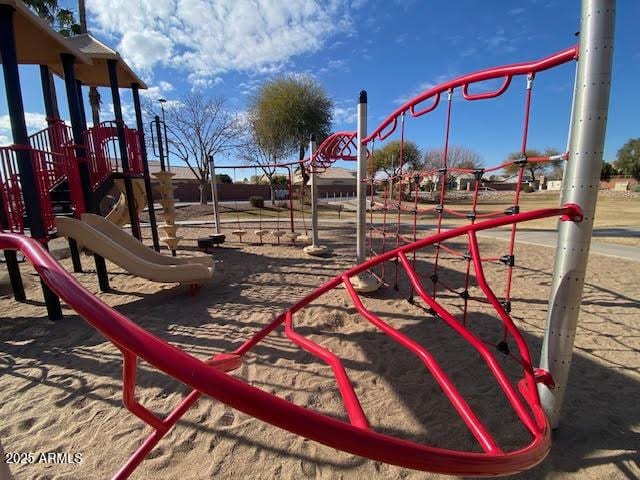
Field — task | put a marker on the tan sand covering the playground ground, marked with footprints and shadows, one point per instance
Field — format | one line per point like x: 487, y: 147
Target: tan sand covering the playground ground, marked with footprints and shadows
x: 60, y: 384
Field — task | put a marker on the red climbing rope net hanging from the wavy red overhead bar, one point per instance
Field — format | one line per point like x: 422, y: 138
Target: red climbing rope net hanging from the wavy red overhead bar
x: 398, y: 200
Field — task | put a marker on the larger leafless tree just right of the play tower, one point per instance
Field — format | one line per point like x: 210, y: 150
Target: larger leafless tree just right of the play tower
x: 199, y: 127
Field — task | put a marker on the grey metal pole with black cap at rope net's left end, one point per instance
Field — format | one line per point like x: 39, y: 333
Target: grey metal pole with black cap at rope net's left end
x: 361, y: 186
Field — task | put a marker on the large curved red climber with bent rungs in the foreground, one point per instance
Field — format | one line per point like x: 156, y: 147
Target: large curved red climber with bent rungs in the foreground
x: 356, y: 436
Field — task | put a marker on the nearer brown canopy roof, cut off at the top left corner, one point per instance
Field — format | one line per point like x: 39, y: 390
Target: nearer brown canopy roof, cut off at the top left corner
x: 36, y: 42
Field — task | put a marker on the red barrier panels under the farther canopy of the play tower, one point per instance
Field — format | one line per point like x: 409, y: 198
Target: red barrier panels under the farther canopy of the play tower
x: 103, y: 151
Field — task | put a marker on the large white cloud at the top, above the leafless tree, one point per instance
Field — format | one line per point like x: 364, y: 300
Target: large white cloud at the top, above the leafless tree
x: 209, y: 38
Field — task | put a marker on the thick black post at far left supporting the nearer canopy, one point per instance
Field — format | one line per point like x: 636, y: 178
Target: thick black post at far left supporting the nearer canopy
x: 20, y: 137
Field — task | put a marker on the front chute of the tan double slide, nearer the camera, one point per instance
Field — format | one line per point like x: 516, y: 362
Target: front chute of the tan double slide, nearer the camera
x: 122, y: 256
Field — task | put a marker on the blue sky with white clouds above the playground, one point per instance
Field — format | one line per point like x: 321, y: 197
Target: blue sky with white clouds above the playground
x: 393, y: 49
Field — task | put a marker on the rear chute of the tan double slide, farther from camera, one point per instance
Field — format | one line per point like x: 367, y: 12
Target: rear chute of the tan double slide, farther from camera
x: 119, y: 236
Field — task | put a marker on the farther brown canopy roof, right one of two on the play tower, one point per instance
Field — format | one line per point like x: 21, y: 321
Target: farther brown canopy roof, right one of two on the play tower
x: 97, y: 74
